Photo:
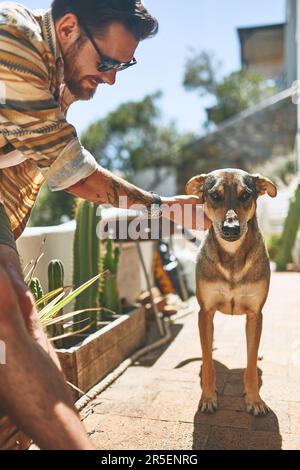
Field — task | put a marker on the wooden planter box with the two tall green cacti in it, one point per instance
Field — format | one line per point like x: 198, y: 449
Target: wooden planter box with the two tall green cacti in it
x: 111, y: 336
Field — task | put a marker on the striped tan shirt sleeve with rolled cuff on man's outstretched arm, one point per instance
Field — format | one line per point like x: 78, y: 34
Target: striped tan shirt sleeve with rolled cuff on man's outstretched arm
x: 31, y: 118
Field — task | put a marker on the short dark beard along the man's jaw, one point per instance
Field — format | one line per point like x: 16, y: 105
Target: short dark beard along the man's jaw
x: 71, y: 72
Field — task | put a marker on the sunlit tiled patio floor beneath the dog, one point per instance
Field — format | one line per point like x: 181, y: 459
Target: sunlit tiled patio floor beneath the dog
x: 154, y: 405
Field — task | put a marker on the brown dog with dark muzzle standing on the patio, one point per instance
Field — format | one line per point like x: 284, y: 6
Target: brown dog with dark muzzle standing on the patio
x: 233, y: 271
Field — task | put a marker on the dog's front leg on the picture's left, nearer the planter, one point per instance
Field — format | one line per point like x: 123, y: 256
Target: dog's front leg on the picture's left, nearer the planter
x: 208, y: 403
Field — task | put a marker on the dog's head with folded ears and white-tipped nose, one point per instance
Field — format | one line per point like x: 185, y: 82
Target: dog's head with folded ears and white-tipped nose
x: 229, y: 197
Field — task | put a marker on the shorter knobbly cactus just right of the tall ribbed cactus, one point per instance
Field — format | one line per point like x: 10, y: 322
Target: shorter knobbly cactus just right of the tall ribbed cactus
x: 109, y: 294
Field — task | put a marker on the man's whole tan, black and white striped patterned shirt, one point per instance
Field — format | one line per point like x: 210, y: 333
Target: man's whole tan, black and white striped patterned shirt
x: 37, y: 143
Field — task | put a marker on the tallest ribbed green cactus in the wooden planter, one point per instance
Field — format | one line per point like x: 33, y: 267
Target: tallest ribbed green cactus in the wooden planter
x: 86, y: 258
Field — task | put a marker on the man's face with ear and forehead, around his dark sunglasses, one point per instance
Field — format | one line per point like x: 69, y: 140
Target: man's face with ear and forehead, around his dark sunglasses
x: 81, y: 59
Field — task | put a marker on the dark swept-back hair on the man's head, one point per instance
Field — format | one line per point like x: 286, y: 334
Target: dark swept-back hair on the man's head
x: 98, y: 14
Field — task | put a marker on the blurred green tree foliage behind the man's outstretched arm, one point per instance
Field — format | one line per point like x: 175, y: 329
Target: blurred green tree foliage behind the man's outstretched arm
x: 132, y: 138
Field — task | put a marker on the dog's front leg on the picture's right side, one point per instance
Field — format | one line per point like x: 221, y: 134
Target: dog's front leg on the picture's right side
x: 254, y: 403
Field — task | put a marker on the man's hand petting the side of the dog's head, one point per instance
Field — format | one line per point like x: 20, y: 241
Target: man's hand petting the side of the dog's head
x: 187, y: 211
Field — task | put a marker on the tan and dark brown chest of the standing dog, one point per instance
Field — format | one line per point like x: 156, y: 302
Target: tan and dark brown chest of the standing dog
x: 232, y: 283
